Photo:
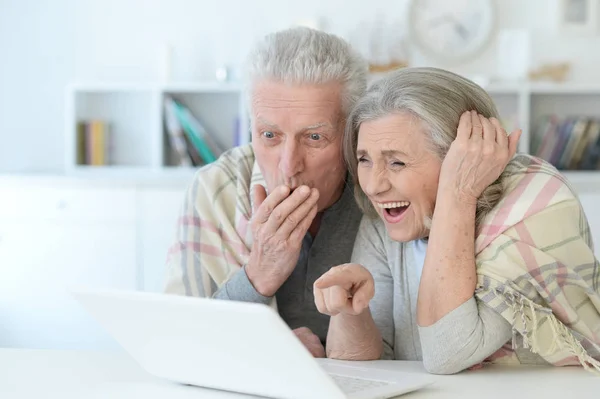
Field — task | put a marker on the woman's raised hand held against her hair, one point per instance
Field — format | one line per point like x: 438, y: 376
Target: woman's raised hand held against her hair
x: 477, y: 157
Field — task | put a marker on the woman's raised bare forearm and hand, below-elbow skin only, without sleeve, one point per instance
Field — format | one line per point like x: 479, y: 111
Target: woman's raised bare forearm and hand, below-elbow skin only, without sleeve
x: 475, y: 160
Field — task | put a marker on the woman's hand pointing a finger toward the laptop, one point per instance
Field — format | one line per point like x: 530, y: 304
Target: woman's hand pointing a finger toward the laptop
x: 345, y: 289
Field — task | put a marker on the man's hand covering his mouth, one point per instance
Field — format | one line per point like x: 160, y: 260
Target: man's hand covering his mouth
x: 279, y: 223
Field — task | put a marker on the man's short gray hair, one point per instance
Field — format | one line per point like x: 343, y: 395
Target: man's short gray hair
x: 307, y: 56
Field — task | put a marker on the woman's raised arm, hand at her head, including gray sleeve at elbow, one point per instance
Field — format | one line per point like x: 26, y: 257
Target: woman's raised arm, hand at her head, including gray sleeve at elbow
x: 456, y: 331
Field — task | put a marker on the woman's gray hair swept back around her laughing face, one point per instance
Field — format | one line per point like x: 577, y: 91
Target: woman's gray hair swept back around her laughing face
x: 437, y: 98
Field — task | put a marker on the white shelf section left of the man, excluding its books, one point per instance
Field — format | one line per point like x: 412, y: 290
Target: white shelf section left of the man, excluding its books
x: 139, y: 142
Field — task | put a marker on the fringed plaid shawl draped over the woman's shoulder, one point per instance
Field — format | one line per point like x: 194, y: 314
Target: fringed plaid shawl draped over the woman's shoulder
x: 536, y: 267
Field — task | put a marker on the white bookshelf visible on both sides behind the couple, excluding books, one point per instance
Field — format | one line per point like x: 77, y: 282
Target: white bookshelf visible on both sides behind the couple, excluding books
x: 140, y: 144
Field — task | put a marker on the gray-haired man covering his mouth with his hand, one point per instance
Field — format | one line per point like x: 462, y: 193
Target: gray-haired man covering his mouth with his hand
x: 266, y: 220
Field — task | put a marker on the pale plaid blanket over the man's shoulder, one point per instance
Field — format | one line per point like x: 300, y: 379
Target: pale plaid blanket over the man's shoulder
x: 213, y: 237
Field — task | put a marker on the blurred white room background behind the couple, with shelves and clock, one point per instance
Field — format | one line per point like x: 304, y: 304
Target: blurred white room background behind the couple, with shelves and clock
x: 108, y: 106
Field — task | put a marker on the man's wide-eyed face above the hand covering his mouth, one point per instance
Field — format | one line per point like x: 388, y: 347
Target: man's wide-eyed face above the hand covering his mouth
x: 297, y: 137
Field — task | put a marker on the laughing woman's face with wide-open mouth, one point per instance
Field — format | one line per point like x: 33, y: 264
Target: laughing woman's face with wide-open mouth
x: 399, y: 174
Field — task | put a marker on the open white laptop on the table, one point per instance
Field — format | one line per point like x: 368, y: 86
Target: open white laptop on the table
x: 232, y: 346
